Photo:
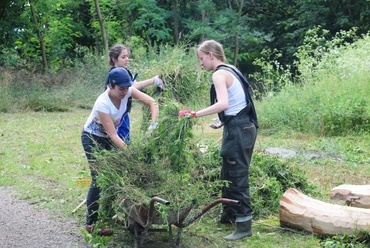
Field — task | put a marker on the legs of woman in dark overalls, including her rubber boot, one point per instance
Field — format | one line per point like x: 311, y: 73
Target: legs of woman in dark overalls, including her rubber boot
x: 237, y: 149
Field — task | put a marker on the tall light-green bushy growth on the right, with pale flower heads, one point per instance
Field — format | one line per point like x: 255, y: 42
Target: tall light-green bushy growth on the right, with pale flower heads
x: 332, y: 98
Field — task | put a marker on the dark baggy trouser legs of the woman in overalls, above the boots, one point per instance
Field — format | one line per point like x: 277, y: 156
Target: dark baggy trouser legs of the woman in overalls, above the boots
x: 239, y: 137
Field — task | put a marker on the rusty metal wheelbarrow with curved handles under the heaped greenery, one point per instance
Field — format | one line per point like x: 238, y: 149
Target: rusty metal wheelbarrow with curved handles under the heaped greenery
x: 141, y: 217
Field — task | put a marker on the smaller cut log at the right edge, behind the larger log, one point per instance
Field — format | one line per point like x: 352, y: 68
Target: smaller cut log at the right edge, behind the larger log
x: 353, y: 195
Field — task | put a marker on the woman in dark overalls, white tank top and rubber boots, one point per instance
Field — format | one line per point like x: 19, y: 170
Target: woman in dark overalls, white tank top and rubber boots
x: 231, y: 100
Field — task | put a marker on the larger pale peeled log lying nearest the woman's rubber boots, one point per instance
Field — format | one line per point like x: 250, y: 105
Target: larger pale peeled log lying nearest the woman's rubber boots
x: 299, y: 211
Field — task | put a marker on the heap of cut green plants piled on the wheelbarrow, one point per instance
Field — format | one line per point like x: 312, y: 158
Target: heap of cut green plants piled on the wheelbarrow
x: 168, y: 165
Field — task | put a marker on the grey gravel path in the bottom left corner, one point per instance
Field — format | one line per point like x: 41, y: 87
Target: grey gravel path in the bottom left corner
x: 22, y: 225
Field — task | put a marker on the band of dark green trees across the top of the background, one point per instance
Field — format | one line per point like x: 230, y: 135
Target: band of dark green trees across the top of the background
x: 50, y: 35
